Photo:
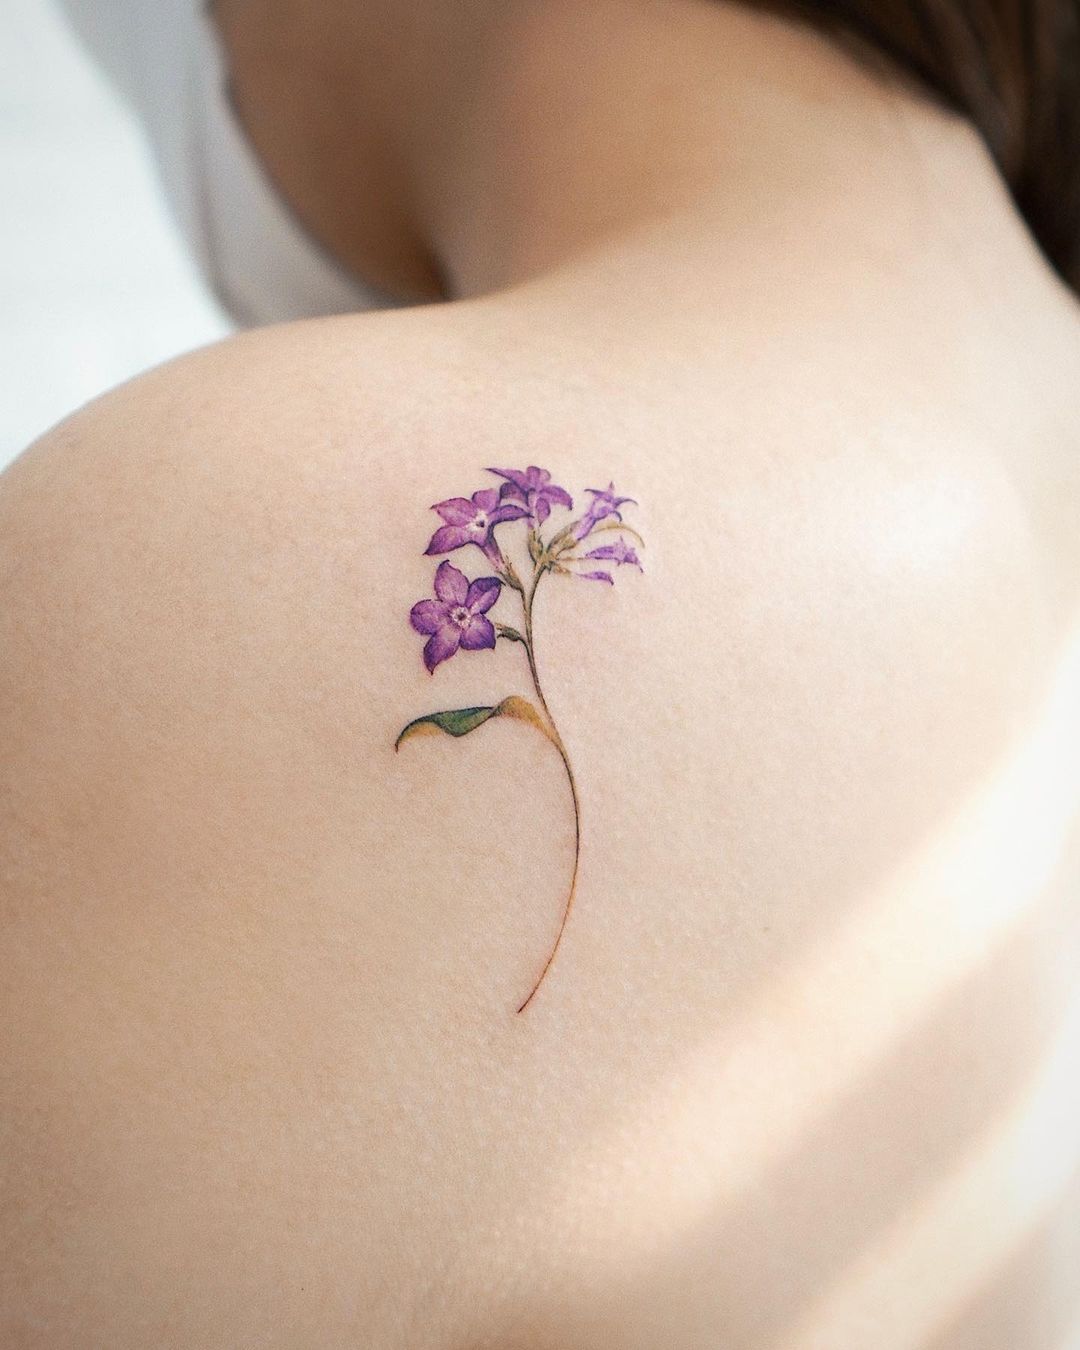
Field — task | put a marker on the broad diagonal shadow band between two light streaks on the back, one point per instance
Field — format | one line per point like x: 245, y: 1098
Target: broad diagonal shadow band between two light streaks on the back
x: 846, y: 1183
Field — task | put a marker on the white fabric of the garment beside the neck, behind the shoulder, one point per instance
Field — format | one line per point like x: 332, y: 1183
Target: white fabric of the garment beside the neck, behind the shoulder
x: 168, y: 60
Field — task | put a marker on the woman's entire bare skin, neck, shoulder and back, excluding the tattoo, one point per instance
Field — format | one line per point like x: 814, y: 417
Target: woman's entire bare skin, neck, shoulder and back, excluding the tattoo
x: 804, y: 1074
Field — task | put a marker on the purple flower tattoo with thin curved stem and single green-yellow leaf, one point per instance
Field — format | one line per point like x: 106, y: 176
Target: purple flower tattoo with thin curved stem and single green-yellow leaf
x: 457, y: 619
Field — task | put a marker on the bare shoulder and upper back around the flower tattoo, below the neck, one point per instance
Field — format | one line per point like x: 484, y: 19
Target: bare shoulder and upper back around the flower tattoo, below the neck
x: 265, y: 1082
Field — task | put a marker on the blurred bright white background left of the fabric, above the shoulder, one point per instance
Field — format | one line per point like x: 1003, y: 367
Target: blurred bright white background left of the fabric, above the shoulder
x: 95, y: 281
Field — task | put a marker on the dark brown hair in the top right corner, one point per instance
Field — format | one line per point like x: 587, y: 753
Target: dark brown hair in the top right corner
x: 1013, y: 68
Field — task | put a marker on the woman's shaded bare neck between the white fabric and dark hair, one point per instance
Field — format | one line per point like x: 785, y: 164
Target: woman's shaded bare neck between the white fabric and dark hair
x: 480, y: 148
